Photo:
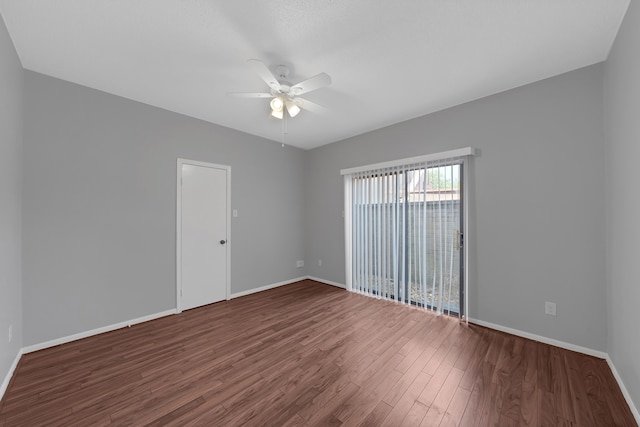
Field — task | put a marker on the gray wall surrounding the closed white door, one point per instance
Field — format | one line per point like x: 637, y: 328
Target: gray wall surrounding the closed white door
x: 99, y: 207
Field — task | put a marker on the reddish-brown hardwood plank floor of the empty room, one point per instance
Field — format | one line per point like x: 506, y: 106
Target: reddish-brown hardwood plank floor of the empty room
x: 309, y: 354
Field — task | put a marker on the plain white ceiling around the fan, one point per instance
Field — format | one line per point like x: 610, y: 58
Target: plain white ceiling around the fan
x: 390, y: 60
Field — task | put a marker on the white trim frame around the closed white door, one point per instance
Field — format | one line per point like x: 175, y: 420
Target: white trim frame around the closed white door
x: 227, y: 169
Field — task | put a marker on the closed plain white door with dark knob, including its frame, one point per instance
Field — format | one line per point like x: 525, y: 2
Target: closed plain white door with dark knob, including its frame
x: 202, y: 234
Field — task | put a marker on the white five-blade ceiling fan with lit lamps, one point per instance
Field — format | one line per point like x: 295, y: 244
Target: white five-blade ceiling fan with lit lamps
x: 285, y: 96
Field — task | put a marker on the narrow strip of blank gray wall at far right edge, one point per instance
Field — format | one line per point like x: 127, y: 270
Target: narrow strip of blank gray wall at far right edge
x: 622, y: 106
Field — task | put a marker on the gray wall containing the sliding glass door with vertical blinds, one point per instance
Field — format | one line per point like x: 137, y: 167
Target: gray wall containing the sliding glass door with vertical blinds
x: 537, y: 208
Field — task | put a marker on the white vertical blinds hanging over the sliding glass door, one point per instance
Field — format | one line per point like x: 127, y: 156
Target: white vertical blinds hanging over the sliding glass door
x: 405, y: 233
